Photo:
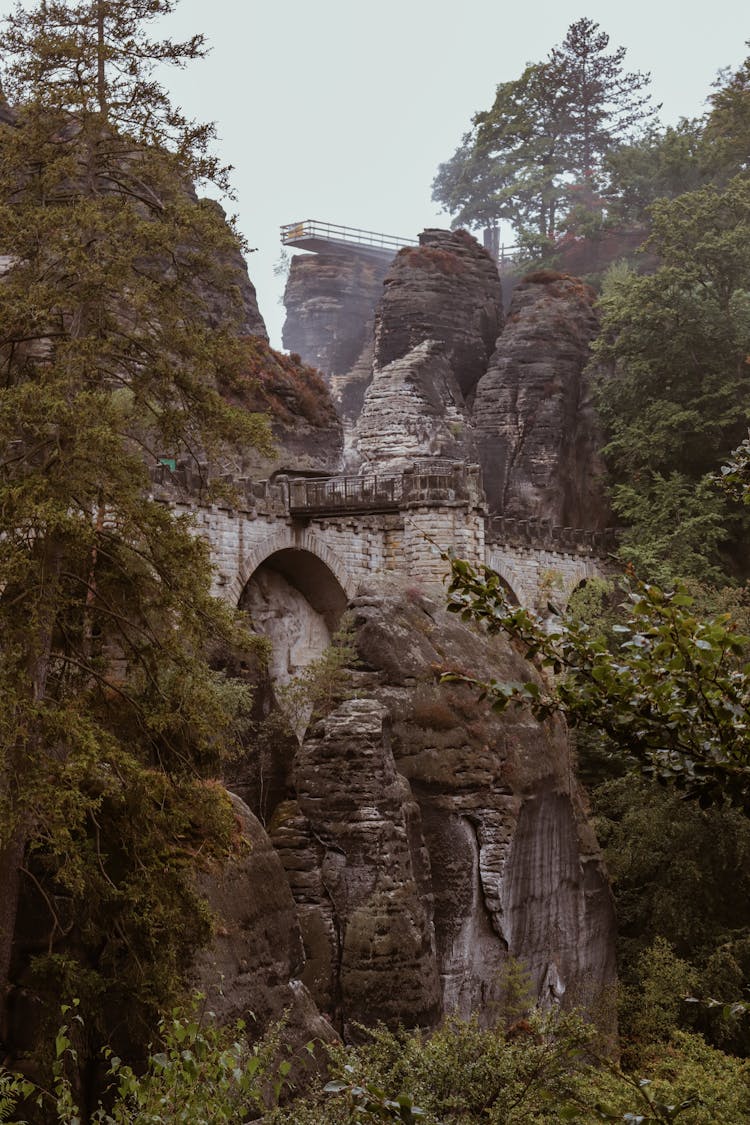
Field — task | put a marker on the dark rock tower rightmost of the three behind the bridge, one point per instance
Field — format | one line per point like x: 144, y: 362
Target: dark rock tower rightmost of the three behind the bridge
x: 536, y: 428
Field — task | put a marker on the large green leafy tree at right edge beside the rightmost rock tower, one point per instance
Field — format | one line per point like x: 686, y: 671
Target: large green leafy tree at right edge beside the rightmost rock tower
x: 672, y: 385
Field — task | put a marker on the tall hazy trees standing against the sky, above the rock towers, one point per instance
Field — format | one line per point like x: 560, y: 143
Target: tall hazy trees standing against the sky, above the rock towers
x: 535, y: 159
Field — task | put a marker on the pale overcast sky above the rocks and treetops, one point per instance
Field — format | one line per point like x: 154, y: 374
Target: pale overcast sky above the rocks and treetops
x: 341, y: 111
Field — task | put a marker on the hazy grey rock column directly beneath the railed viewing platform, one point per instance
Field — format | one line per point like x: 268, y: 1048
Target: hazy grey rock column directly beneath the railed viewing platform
x: 331, y: 301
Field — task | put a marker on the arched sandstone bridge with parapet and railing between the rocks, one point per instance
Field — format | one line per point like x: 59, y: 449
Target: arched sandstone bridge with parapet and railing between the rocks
x: 328, y: 536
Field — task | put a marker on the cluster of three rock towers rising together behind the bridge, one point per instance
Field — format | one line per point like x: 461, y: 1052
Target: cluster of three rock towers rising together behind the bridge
x: 438, y: 373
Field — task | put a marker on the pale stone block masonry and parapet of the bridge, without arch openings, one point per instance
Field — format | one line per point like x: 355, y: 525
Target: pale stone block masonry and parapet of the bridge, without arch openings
x: 435, y: 515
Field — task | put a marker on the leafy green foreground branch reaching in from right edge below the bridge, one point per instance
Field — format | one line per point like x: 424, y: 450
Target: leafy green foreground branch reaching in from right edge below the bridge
x: 674, y: 698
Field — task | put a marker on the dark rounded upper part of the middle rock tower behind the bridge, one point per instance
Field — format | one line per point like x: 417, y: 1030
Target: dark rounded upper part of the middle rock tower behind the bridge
x: 447, y: 290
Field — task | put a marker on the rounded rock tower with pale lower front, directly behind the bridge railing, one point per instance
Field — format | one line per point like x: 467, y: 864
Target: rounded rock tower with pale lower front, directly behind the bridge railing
x: 436, y: 329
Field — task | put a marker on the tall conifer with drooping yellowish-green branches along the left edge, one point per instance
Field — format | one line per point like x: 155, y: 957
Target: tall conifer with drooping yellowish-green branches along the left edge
x: 111, y: 714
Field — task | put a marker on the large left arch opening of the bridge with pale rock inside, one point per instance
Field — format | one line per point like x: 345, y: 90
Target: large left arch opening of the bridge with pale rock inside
x: 295, y: 600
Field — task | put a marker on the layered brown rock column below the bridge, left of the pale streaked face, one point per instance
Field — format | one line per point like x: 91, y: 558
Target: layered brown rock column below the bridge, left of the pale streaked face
x: 348, y: 844
